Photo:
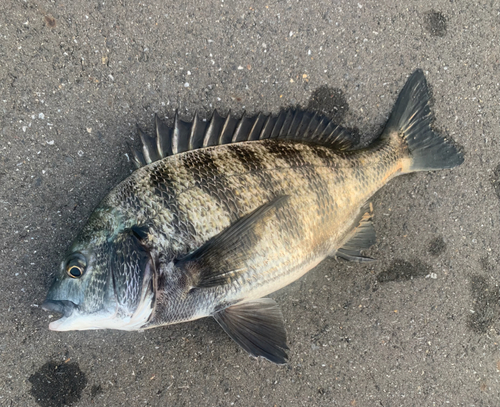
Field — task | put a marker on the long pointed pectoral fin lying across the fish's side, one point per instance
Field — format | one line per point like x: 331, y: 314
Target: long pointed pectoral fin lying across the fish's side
x: 224, y: 256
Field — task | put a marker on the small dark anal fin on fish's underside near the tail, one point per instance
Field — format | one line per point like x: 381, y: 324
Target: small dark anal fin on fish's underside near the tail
x: 362, y: 237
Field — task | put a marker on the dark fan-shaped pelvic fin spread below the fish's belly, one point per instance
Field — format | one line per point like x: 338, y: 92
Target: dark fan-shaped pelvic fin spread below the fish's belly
x: 257, y: 326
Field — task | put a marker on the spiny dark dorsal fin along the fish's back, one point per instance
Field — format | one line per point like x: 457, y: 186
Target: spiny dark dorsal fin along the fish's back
x: 291, y: 124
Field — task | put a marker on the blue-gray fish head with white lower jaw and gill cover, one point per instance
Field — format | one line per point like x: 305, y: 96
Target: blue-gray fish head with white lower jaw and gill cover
x: 103, y: 282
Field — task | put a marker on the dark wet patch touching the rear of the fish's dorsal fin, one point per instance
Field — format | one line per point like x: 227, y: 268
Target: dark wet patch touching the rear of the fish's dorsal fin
x: 330, y: 102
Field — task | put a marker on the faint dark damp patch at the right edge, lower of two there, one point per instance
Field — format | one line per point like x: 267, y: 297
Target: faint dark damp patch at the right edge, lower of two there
x: 486, y: 299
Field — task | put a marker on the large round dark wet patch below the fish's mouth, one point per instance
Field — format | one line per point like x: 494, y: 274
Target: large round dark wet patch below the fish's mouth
x: 57, y: 384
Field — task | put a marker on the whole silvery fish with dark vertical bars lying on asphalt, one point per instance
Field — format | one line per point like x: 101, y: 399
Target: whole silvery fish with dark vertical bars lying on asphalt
x: 220, y: 213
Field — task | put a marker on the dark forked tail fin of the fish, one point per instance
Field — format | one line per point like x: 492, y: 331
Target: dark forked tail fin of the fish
x: 411, y: 119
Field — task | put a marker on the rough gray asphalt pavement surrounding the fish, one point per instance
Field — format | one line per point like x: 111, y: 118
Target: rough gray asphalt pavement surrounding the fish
x: 418, y: 328
